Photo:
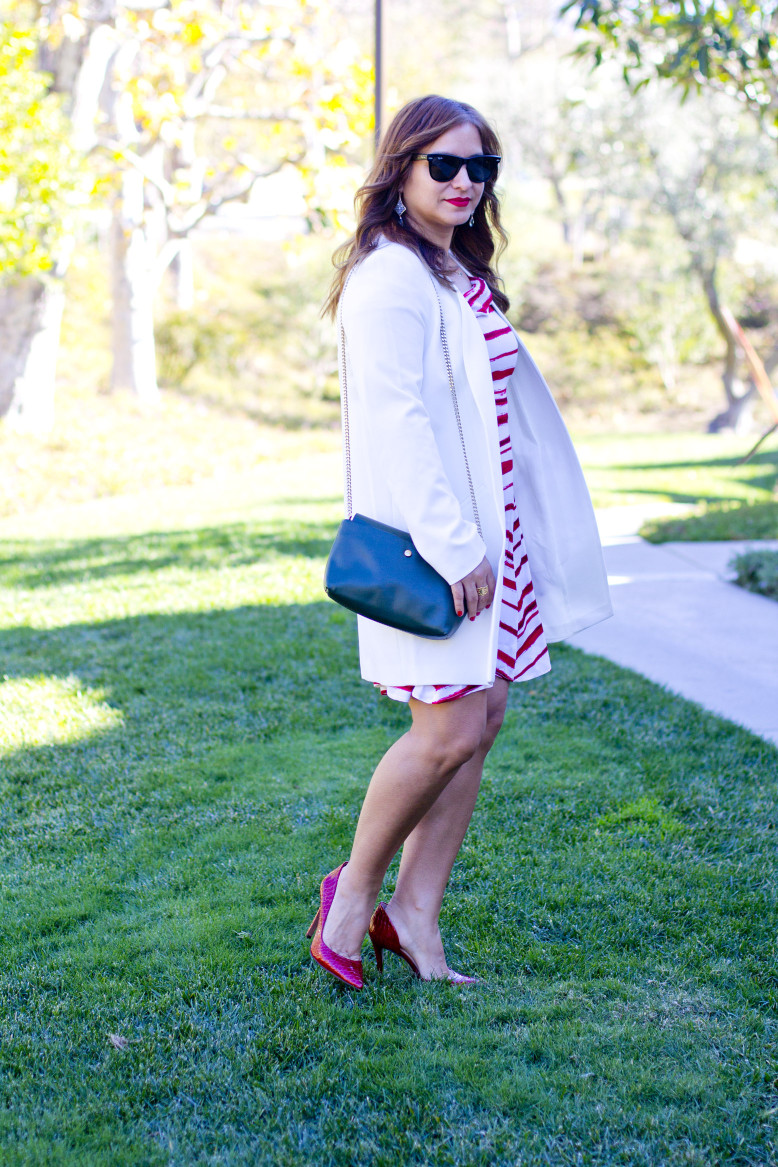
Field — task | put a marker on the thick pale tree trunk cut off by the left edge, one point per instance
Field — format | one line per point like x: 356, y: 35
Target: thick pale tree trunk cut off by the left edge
x: 31, y: 317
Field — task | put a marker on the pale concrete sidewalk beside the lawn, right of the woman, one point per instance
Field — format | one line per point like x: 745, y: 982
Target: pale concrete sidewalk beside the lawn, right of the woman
x: 681, y: 623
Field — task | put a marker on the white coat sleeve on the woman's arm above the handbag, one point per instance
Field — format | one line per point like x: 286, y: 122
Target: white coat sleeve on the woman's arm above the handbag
x: 388, y: 318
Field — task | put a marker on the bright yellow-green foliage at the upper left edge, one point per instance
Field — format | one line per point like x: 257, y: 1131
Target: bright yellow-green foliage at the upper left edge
x: 39, y: 178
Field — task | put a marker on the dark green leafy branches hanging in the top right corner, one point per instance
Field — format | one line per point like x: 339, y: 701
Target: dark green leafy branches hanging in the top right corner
x: 695, y: 44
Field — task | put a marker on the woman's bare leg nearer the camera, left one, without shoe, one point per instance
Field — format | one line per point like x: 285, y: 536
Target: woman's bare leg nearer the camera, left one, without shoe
x: 408, y: 782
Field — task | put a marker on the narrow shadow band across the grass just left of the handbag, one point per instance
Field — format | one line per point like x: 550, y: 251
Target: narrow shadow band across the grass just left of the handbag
x: 32, y: 565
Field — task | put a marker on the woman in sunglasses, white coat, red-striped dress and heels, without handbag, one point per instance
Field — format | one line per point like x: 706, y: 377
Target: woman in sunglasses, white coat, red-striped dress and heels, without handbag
x: 424, y: 247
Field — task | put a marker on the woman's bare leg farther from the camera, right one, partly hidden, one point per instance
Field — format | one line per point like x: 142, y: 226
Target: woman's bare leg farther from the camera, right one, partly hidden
x: 431, y: 849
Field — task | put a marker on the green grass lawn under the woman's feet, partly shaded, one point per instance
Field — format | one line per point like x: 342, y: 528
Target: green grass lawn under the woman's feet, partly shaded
x: 184, y: 746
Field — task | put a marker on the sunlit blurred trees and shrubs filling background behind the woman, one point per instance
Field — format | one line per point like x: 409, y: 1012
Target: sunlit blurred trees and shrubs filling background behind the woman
x: 176, y: 174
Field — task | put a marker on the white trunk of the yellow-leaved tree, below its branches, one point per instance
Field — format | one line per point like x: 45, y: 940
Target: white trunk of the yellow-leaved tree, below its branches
x: 135, y: 364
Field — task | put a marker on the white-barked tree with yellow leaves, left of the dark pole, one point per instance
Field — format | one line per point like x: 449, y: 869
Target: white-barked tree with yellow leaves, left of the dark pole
x: 250, y: 67
